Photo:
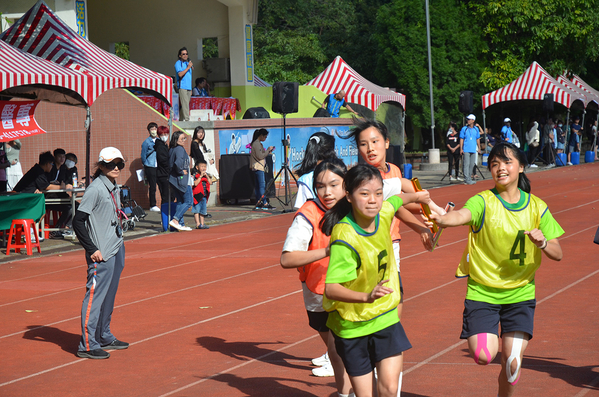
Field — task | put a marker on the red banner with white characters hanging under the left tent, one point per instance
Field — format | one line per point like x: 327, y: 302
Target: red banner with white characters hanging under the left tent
x: 17, y: 120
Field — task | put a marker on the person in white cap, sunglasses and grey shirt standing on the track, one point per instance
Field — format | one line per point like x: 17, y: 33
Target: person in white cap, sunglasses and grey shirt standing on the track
x: 98, y: 227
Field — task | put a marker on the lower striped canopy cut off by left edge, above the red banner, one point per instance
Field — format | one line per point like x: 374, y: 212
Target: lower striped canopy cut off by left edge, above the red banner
x: 27, y: 76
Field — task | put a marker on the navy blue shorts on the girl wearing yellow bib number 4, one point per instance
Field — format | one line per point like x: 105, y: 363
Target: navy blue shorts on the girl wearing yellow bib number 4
x: 482, y: 317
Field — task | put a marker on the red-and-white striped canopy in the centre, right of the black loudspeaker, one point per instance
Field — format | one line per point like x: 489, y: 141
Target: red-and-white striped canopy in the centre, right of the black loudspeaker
x: 340, y: 76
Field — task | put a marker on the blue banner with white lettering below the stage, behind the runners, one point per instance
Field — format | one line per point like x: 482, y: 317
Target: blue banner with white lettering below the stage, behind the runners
x: 239, y: 141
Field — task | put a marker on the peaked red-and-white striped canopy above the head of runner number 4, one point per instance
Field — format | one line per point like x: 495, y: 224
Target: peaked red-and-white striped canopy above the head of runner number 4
x: 533, y: 84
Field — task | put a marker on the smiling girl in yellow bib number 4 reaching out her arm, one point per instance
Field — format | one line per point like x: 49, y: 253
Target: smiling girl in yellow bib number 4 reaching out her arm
x: 501, y: 261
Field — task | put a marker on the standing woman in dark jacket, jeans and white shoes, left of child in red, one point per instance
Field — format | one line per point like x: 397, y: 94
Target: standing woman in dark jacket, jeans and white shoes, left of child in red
x: 179, y: 179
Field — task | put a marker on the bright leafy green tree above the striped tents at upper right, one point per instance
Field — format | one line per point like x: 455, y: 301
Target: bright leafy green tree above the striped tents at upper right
x: 558, y: 34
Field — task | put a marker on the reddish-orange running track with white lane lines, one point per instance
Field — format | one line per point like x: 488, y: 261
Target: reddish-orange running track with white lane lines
x: 211, y: 313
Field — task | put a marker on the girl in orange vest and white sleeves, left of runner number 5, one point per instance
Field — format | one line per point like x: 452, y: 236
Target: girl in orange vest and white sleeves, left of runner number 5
x: 306, y: 248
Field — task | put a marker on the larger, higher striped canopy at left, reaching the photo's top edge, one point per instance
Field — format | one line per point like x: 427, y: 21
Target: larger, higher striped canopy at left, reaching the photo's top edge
x: 40, y: 32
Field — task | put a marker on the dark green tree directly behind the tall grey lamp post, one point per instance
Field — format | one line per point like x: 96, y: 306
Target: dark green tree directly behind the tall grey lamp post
x: 403, y: 60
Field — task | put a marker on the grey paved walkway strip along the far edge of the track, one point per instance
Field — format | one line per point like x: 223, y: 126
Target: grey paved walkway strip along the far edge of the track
x: 223, y: 214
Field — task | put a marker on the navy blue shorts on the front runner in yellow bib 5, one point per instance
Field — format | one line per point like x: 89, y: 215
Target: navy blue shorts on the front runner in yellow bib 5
x: 361, y: 354
